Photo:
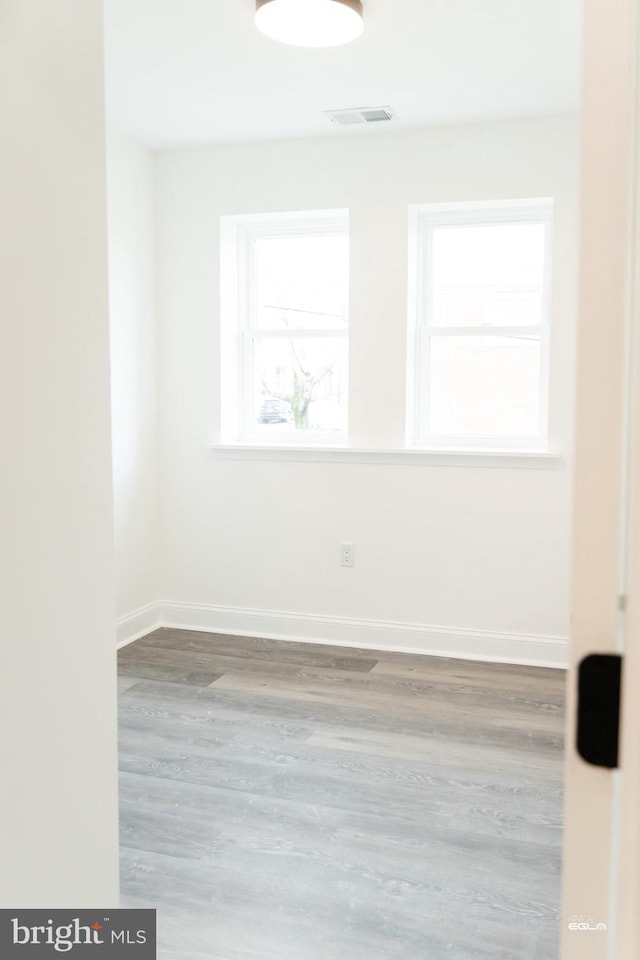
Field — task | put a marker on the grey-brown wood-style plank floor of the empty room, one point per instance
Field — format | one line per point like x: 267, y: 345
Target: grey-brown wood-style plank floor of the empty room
x: 285, y: 801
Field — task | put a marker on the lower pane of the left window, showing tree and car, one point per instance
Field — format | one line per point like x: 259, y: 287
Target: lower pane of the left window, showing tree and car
x: 300, y: 384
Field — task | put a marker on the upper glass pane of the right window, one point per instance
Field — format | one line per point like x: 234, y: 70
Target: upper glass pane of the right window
x: 488, y: 275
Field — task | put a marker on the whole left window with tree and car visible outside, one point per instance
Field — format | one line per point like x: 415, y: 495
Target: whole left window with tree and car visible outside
x: 285, y: 309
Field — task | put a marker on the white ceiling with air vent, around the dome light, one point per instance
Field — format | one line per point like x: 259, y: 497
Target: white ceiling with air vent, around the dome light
x: 197, y: 71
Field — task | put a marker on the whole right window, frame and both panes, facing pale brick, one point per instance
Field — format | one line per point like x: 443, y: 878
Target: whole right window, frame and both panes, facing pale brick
x: 479, y: 302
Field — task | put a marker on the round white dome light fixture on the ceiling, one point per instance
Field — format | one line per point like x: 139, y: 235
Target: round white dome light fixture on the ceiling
x: 310, y: 23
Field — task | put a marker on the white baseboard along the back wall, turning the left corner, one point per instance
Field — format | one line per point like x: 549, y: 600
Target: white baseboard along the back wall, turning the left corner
x: 462, y: 643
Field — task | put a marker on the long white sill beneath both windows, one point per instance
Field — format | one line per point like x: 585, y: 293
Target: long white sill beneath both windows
x: 519, y: 459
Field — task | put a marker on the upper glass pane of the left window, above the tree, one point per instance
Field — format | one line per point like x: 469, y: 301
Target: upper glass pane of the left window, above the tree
x: 302, y: 282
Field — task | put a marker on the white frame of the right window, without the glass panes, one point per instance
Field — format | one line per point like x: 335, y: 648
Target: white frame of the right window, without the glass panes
x: 423, y: 219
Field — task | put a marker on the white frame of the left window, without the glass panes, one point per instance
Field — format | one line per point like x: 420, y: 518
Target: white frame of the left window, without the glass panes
x: 239, y: 332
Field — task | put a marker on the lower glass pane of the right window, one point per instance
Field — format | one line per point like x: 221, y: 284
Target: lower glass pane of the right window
x: 485, y: 386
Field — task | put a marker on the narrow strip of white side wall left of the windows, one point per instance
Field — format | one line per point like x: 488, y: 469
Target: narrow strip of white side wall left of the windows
x: 131, y: 215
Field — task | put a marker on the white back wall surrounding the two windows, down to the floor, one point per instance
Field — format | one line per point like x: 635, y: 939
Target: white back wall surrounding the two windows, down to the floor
x: 470, y: 549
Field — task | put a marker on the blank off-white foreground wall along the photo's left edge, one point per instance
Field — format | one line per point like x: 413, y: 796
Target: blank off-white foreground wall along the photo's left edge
x: 58, y: 830
